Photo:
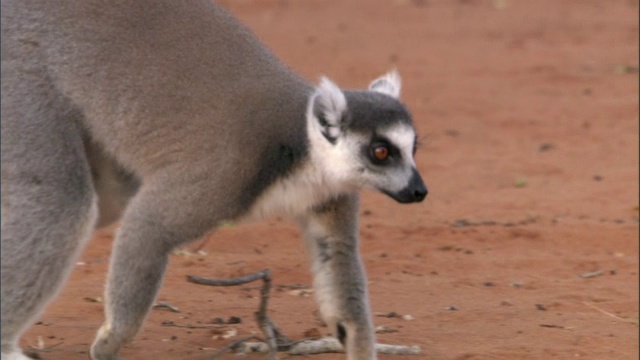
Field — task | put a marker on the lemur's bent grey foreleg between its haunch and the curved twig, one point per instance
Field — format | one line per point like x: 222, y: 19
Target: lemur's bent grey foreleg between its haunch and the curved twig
x: 158, y: 218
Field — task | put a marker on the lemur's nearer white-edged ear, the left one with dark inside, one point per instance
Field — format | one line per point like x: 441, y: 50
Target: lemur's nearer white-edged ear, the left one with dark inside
x: 329, y: 106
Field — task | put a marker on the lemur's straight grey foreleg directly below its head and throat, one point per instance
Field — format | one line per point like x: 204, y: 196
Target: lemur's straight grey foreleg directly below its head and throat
x: 330, y: 232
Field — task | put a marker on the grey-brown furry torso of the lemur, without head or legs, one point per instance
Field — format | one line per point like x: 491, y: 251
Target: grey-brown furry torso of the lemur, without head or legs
x: 212, y: 68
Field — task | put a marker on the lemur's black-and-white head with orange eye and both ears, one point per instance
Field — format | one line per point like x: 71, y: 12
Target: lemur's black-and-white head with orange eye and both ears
x: 365, y: 138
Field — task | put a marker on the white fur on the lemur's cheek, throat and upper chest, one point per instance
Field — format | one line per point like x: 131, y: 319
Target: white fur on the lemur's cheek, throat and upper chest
x: 333, y: 169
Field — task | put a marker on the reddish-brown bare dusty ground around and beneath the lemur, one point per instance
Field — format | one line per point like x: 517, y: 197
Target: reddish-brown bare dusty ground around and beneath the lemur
x: 528, y: 115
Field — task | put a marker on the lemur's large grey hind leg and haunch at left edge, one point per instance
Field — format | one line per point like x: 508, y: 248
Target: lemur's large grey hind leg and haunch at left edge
x: 48, y: 202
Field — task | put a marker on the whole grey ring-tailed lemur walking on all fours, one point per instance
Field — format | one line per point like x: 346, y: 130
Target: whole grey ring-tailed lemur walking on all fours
x: 212, y: 127
